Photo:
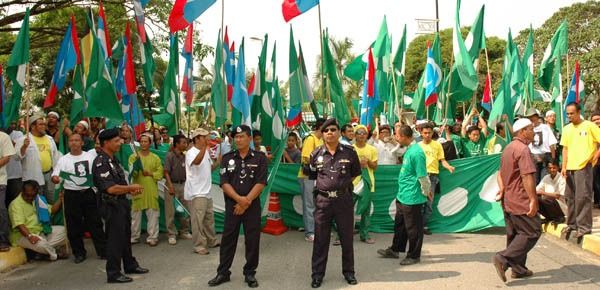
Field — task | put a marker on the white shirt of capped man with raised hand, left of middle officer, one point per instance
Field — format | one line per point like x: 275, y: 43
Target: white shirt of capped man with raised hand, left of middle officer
x: 198, y: 177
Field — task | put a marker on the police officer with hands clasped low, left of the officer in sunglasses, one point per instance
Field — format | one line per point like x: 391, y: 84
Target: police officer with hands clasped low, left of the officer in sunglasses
x: 243, y: 177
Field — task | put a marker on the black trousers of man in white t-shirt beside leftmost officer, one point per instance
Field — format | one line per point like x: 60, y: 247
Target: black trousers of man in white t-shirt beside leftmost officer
x: 81, y: 212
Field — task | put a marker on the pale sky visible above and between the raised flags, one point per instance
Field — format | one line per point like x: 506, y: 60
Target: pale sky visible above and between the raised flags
x: 358, y: 20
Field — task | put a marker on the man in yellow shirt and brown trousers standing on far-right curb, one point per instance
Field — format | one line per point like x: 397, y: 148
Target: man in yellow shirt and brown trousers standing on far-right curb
x: 579, y: 140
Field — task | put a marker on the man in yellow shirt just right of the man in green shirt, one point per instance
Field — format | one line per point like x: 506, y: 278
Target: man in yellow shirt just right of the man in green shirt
x: 434, y: 154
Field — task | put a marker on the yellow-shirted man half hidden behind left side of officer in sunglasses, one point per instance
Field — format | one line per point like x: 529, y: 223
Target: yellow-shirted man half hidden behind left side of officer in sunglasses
x: 306, y: 185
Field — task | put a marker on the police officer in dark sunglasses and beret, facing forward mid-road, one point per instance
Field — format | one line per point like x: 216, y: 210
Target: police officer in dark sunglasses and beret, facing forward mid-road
x: 334, y: 166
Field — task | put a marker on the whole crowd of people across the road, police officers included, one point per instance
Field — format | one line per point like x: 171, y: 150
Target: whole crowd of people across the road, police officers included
x: 107, y: 181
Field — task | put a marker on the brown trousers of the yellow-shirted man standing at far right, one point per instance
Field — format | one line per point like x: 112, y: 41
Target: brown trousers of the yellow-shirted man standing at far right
x: 578, y: 194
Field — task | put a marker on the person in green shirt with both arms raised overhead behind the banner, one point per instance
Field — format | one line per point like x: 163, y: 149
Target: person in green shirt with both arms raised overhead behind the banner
x: 473, y: 137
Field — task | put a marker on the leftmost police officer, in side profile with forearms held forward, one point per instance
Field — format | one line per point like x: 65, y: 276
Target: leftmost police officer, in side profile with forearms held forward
x: 109, y: 179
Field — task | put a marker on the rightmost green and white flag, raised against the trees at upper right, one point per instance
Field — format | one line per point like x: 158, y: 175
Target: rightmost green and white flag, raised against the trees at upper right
x: 557, y: 47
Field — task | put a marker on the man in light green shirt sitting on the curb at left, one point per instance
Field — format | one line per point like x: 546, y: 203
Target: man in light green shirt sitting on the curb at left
x: 27, y: 231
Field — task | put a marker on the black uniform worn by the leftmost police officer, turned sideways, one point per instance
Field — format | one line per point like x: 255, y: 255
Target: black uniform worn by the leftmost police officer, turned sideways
x: 116, y: 211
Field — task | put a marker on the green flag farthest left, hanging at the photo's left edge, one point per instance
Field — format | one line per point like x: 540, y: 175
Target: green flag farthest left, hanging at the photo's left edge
x: 16, y: 70
